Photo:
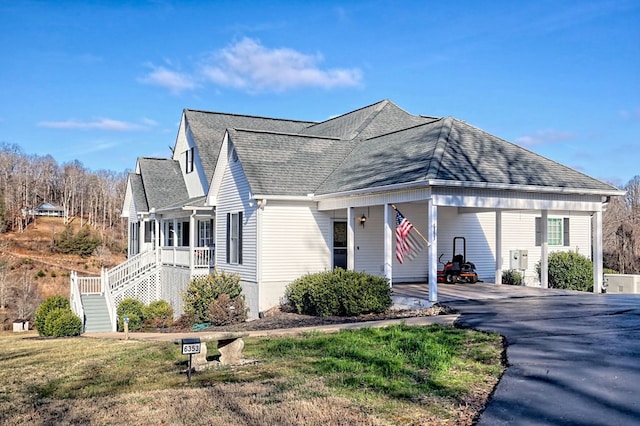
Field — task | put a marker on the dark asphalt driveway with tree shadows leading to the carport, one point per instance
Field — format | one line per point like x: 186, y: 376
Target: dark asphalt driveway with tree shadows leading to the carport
x: 573, y: 358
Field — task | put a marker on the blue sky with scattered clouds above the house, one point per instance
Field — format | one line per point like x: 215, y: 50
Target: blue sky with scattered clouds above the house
x: 105, y: 82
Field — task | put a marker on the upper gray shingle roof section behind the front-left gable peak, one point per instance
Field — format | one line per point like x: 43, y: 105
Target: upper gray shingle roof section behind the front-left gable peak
x: 208, y: 129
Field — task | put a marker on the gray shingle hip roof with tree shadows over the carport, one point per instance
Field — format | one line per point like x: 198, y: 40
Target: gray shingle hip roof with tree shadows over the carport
x: 451, y: 150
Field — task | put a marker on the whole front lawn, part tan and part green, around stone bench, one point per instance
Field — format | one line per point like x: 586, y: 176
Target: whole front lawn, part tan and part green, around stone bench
x: 394, y: 373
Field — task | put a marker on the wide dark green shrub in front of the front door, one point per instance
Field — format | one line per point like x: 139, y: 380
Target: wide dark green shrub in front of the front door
x: 339, y: 292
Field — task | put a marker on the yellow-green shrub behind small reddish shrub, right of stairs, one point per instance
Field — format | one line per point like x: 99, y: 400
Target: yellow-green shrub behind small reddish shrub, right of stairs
x: 202, y: 292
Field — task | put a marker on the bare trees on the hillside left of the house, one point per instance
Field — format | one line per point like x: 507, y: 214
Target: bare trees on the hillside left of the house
x: 27, y: 181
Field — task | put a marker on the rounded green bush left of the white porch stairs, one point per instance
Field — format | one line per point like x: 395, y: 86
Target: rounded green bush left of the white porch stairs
x: 54, y: 318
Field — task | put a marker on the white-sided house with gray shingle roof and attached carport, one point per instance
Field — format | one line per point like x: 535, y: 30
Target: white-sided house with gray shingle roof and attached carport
x: 274, y: 199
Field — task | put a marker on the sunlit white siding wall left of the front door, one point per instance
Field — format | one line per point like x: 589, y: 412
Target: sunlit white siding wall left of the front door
x: 295, y: 240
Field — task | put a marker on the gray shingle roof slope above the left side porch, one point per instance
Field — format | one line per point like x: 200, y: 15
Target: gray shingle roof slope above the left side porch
x: 162, y: 182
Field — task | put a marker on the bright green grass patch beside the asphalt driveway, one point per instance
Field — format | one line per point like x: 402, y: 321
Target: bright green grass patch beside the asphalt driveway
x: 400, y: 361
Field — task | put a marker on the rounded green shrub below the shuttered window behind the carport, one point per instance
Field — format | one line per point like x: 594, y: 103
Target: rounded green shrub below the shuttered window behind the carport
x: 569, y: 271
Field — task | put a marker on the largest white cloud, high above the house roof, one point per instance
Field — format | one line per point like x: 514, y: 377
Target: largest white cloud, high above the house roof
x: 250, y: 66
